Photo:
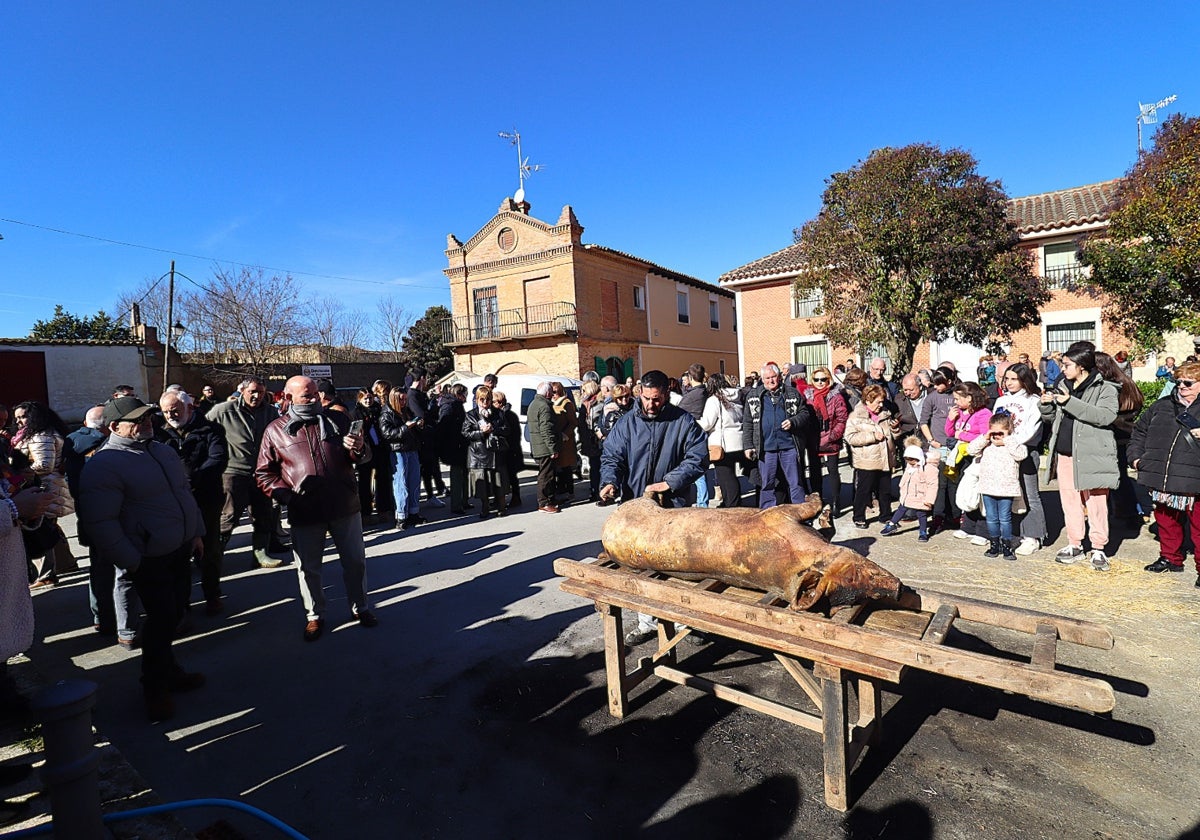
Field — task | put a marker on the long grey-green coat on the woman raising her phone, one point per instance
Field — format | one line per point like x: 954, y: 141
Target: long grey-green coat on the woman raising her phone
x: 1093, y: 409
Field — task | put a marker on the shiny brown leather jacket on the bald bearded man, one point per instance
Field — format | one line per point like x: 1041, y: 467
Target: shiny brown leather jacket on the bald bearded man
x: 314, y: 477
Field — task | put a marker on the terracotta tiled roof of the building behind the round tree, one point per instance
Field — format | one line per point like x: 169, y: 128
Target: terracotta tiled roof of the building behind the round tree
x: 1031, y: 214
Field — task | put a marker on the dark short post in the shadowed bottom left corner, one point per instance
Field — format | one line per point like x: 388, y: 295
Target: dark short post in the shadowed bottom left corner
x: 73, y: 763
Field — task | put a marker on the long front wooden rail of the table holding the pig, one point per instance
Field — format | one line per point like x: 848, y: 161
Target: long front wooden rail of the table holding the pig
x: 772, y: 628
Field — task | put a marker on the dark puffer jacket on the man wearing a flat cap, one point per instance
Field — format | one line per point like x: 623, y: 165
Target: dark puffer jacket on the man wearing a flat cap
x: 135, y: 502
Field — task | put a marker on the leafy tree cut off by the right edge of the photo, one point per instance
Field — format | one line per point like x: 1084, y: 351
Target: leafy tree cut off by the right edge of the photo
x: 1149, y: 260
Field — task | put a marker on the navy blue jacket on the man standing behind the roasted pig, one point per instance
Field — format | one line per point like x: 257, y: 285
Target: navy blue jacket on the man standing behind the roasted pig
x: 640, y: 452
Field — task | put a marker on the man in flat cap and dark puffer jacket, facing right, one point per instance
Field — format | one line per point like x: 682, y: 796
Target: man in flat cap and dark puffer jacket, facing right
x: 139, y: 513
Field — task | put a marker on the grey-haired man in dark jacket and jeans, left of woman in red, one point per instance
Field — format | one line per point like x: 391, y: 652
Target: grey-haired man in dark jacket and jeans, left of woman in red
x: 781, y: 433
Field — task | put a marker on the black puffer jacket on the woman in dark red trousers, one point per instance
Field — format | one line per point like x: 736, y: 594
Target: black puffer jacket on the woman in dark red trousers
x: 1160, y: 449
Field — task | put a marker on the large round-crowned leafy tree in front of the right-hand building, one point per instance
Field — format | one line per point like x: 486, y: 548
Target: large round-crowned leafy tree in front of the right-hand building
x: 915, y: 245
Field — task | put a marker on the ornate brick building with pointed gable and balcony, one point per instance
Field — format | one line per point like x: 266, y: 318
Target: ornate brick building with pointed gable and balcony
x: 532, y: 298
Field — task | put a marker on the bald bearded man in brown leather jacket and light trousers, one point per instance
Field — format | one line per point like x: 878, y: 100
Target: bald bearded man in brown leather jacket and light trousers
x: 307, y: 463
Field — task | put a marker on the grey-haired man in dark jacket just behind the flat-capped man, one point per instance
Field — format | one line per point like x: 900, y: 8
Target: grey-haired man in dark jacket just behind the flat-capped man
x: 201, y: 446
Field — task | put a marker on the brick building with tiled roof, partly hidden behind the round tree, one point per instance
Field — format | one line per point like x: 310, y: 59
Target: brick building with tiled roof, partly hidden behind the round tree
x: 787, y: 328
